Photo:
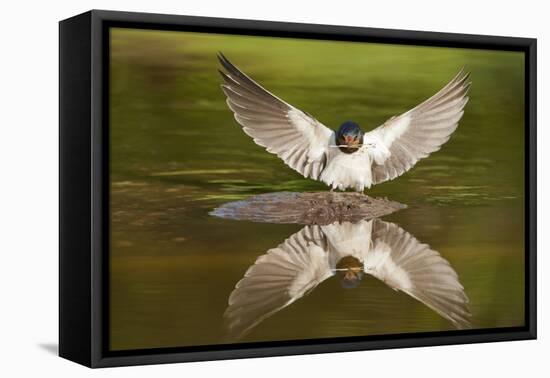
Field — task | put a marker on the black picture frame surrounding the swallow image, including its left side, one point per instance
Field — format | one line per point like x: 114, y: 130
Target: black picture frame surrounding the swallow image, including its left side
x: 84, y: 187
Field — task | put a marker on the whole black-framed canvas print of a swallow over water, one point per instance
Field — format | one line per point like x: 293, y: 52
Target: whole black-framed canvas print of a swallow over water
x: 233, y: 188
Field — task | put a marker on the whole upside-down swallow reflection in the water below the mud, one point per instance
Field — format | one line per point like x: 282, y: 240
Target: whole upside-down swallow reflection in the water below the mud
x: 348, y: 250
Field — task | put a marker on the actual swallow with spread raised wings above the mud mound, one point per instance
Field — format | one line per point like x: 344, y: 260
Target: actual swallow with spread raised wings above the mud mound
x: 348, y: 157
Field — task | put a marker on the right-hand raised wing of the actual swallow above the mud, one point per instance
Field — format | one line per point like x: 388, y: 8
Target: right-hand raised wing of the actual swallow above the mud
x: 401, y: 141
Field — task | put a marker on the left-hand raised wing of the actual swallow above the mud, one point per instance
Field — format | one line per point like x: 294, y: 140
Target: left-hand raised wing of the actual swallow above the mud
x: 297, y: 138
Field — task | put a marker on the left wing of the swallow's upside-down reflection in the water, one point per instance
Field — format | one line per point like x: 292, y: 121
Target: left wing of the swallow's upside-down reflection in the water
x: 278, y: 278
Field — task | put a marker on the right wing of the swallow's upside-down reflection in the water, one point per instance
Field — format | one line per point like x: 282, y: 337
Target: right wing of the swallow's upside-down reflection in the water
x: 405, y: 264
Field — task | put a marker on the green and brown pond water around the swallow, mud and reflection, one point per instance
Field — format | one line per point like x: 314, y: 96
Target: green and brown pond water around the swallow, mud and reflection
x: 177, y: 154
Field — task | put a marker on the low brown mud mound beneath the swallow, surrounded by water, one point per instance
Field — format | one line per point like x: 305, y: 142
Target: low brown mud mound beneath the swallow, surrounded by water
x: 308, y: 208
